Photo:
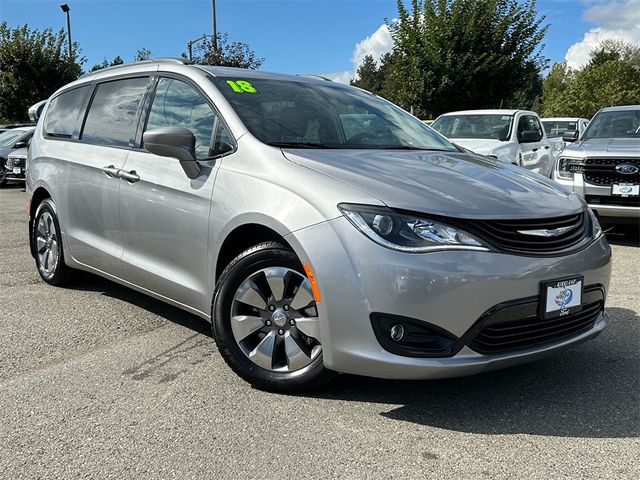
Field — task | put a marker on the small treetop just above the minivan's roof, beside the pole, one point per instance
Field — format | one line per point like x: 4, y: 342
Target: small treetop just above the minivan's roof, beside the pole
x: 227, y: 54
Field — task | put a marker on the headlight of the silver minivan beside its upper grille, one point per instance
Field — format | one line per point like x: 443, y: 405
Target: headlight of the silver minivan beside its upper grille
x: 408, y: 233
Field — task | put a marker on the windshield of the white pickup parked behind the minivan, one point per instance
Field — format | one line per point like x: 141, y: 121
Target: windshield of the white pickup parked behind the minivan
x: 490, y: 127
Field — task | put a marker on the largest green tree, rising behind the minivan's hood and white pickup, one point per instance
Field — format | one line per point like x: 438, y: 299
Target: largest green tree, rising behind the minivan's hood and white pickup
x: 454, y: 54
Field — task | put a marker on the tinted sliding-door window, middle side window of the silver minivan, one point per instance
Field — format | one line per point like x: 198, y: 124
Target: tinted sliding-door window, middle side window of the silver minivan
x: 112, y: 116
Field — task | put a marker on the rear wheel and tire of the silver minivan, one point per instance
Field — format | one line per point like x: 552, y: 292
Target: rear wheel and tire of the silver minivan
x: 49, y: 254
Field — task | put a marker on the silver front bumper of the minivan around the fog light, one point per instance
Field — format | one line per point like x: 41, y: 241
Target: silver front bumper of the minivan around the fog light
x: 450, y: 290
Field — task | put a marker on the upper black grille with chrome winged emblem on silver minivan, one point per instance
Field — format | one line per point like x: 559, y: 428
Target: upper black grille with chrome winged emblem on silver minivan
x: 507, y: 236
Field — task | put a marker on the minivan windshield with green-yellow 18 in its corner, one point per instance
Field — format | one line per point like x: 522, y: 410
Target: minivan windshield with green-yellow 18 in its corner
x: 302, y: 114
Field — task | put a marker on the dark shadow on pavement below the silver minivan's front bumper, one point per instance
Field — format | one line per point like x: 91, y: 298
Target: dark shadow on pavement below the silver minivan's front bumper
x: 590, y: 391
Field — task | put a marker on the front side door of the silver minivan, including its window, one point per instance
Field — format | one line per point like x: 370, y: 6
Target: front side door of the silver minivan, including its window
x: 164, y: 214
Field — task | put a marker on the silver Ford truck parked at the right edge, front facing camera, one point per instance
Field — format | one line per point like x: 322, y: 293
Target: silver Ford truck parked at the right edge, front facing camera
x: 603, y: 165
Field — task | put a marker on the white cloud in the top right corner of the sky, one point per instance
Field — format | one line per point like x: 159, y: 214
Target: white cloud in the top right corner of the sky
x: 615, y: 19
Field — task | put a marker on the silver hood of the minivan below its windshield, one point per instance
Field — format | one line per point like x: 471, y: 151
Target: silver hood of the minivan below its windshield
x: 443, y: 183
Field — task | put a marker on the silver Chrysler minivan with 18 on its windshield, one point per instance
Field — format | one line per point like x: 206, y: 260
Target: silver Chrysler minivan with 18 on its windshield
x: 320, y: 228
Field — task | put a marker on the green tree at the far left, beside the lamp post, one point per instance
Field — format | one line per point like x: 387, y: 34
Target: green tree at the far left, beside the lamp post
x: 33, y: 65
